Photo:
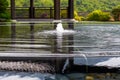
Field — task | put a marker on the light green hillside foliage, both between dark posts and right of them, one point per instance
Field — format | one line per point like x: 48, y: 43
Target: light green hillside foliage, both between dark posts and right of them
x: 80, y: 5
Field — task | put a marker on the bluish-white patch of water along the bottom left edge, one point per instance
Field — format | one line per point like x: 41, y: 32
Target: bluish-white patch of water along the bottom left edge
x: 24, y: 76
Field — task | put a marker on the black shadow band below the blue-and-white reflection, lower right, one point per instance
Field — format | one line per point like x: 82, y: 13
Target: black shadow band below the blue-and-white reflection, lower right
x: 91, y: 69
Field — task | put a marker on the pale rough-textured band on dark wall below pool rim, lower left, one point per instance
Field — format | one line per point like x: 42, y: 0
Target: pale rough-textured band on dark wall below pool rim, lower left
x: 26, y: 66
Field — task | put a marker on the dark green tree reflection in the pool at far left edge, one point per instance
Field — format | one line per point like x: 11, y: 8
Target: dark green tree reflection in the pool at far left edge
x: 4, y: 31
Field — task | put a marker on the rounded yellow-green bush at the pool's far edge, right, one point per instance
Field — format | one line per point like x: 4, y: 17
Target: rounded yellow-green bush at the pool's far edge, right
x: 98, y: 15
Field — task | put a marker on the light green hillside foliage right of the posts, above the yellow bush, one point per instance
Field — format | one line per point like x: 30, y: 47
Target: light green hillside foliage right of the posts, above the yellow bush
x: 91, y: 5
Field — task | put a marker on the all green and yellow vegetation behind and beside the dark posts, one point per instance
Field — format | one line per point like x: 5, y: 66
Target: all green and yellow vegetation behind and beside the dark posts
x: 92, y: 10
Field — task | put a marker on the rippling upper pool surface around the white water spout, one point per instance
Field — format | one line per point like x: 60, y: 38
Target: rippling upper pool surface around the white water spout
x: 84, y: 38
